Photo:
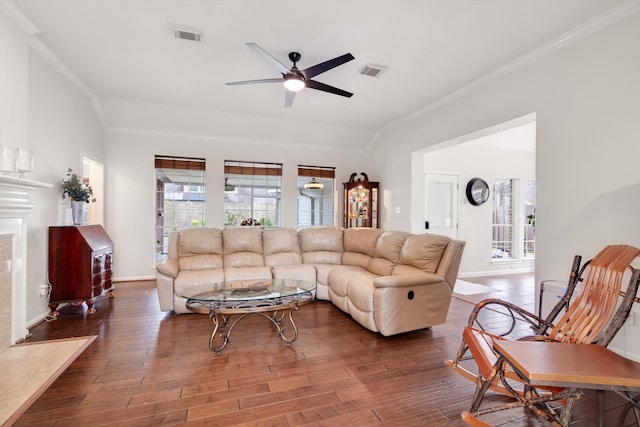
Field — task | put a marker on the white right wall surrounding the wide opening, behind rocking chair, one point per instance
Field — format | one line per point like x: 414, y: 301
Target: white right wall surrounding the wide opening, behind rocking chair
x: 587, y: 102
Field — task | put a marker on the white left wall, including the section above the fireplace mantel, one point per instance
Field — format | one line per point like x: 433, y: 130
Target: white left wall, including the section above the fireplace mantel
x: 41, y: 110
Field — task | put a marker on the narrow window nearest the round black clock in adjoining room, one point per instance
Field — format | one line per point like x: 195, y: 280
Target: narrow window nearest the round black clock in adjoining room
x: 502, y: 240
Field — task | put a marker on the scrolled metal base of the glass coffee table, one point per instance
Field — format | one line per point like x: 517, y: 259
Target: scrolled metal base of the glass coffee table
x: 222, y: 327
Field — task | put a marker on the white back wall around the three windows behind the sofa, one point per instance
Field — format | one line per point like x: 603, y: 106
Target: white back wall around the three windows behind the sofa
x: 130, y: 183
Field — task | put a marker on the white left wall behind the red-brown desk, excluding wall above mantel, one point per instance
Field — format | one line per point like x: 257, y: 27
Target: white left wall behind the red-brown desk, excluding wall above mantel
x: 62, y: 125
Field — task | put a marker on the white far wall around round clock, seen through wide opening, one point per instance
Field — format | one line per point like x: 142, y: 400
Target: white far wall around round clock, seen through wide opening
x: 506, y: 150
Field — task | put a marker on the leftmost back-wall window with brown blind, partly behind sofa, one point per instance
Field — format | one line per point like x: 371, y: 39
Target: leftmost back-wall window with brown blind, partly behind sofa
x: 179, y: 197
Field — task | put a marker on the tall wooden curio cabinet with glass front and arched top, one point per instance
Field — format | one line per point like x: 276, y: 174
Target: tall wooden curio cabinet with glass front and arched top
x: 361, y: 202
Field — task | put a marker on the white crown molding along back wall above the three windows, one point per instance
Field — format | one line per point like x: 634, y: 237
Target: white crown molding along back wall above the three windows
x: 223, y: 139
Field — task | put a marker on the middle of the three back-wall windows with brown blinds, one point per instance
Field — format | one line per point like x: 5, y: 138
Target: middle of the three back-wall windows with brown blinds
x: 252, y: 193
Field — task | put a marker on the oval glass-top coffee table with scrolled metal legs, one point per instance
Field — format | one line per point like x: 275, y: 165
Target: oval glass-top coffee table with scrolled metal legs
x: 273, y: 299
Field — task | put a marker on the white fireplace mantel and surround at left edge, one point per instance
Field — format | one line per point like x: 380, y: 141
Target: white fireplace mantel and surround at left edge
x: 15, y: 205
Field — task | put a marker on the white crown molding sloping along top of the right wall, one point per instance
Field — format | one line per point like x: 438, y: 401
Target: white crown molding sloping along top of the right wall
x: 613, y: 15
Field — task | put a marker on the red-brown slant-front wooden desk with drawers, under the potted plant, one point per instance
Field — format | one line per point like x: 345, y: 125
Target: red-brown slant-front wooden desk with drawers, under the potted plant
x: 80, y: 265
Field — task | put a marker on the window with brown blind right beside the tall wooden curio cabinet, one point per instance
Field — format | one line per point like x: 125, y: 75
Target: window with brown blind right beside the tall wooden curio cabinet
x: 316, y: 194
